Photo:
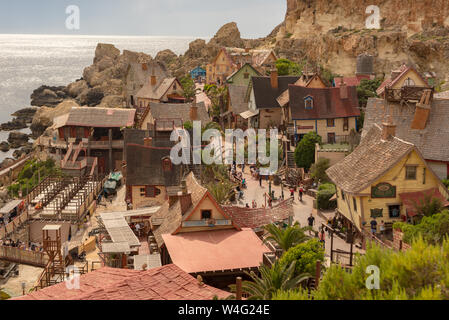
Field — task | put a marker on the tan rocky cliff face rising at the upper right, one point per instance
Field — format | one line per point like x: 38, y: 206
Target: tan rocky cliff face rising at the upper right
x: 332, y: 33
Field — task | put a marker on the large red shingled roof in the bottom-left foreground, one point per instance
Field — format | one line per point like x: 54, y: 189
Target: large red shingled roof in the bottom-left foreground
x: 164, y: 283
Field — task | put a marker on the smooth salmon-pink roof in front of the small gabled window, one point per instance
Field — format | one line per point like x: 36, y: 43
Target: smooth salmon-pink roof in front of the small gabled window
x: 215, y: 250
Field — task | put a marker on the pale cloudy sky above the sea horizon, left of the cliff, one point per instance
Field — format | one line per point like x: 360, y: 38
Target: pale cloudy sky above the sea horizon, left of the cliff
x: 198, y: 18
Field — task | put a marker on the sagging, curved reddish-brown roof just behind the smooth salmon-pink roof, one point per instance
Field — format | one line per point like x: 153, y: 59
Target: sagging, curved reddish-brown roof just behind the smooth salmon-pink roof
x: 260, y: 217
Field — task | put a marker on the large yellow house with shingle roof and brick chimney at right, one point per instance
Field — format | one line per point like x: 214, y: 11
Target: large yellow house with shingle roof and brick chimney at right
x: 382, y: 178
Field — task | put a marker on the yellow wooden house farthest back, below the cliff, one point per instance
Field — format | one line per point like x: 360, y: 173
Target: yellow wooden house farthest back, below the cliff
x: 229, y: 60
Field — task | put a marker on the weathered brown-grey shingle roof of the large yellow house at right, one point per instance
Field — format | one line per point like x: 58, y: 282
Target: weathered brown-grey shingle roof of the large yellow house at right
x: 369, y: 161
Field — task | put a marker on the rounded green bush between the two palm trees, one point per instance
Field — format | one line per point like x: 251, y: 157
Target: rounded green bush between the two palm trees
x: 306, y: 255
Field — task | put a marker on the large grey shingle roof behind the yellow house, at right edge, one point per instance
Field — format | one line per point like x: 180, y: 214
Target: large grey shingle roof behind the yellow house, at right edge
x: 432, y: 142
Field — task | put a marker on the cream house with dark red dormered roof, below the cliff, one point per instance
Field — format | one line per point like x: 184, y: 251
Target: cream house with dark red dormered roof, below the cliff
x: 330, y: 112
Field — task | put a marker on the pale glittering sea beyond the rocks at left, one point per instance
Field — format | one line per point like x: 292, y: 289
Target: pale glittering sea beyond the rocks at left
x: 29, y: 61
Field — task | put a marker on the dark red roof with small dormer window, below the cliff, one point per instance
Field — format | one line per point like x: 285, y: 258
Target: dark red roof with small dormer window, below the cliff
x: 327, y: 103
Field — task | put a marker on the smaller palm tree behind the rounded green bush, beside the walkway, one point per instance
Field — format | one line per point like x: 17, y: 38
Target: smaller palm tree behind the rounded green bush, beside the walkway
x: 286, y: 238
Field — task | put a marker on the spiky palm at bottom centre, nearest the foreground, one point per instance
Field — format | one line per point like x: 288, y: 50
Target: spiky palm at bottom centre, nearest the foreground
x: 278, y: 277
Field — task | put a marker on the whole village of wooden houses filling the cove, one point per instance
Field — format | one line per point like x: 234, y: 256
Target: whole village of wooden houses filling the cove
x: 362, y: 181
